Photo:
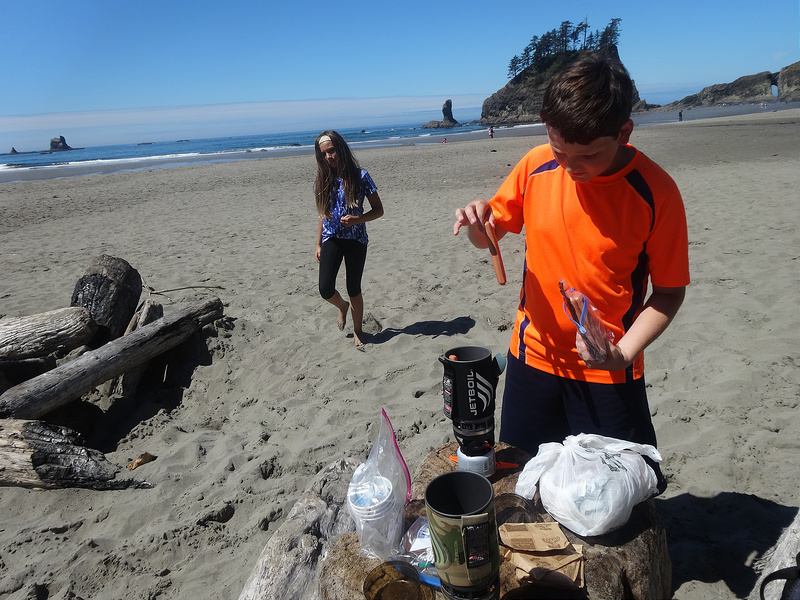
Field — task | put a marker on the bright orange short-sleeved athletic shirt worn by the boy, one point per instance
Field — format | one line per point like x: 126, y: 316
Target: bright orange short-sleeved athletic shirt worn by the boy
x: 605, y: 237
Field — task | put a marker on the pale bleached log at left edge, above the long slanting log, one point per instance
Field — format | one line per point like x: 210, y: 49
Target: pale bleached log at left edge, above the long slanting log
x: 38, y: 335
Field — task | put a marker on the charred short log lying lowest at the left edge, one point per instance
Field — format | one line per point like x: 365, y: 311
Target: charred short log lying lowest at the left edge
x: 38, y: 455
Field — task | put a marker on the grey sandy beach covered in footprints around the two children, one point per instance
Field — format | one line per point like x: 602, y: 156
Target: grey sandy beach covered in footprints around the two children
x: 283, y: 392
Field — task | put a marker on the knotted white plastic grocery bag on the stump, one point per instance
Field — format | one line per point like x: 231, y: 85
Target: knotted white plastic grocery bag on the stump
x: 591, y: 483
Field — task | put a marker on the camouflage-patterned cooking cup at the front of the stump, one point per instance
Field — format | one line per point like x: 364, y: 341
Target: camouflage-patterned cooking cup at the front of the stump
x: 463, y: 528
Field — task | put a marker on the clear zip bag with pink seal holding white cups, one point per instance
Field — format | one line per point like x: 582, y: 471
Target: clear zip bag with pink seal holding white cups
x: 377, y: 495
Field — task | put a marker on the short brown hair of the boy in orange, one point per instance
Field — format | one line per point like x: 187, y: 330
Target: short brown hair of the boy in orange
x: 591, y: 98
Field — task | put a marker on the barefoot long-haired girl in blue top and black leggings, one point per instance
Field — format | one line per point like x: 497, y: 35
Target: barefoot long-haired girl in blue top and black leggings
x: 340, y: 188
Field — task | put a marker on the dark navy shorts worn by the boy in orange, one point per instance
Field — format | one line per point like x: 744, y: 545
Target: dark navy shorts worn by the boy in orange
x: 539, y: 407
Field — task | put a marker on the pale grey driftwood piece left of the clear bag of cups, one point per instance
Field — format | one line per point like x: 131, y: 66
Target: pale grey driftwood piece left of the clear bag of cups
x: 288, y: 566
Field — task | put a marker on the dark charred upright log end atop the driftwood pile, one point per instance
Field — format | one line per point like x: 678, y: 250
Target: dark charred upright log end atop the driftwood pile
x: 109, y: 289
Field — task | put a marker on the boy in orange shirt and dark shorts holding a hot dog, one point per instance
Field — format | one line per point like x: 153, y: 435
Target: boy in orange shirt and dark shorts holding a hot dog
x: 602, y: 216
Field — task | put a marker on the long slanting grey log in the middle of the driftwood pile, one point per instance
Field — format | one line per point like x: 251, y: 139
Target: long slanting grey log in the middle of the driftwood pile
x: 68, y: 382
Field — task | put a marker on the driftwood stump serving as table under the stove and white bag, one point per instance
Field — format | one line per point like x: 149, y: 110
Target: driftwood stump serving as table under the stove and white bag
x: 631, y: 563
